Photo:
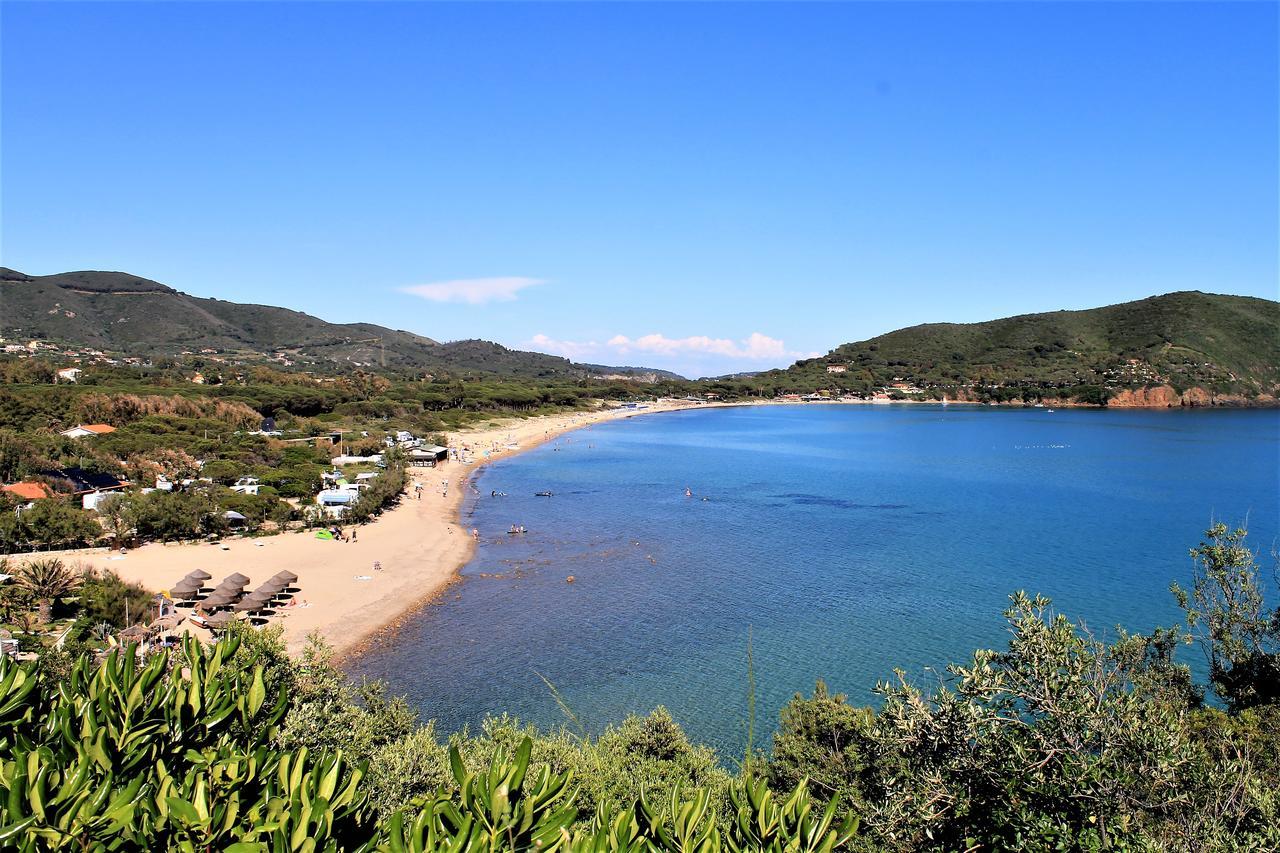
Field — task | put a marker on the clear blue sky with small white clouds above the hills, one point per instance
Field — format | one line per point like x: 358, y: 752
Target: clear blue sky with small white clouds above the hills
x: 705, y: 188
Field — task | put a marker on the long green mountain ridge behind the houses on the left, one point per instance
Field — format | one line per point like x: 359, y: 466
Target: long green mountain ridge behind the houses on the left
x: 124, y: 313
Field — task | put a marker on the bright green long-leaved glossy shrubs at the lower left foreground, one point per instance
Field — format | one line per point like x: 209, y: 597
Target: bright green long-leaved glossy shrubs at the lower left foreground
x: 179, y: 755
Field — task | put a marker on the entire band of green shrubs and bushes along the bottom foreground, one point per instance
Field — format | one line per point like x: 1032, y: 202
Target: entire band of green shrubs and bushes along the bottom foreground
x: 1058, y: 743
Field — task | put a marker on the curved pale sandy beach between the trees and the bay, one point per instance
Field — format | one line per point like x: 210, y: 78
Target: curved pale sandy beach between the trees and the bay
x: 419, y: 545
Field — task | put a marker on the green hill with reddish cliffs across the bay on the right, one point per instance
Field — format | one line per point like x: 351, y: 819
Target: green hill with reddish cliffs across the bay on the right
x: 1219, y: 345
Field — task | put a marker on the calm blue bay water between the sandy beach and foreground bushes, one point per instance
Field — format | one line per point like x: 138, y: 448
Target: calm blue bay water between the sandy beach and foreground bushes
x: 848, y: 540
